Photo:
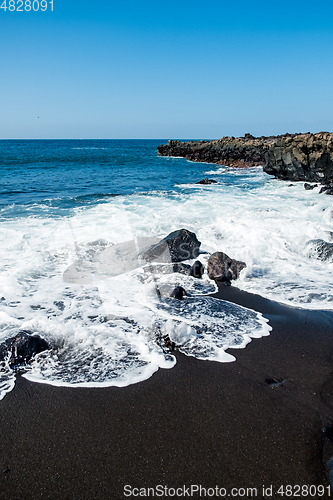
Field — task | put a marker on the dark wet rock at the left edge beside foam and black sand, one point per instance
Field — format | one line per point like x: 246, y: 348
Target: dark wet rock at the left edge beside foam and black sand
x: 22, y: 348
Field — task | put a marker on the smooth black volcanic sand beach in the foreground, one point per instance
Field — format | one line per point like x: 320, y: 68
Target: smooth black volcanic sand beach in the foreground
x: 200, y: 423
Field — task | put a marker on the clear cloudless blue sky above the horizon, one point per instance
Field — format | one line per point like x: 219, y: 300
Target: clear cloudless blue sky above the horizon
x: 166, y: 69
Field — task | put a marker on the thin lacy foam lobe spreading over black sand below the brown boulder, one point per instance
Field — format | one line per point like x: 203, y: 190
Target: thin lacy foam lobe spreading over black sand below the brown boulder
x: 205, y: 327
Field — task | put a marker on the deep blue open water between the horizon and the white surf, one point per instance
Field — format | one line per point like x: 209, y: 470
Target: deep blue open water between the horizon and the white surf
x: 69, y: 173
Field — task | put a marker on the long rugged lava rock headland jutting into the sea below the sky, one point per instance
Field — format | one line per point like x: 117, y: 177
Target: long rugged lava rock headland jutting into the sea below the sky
x: 295, y: 157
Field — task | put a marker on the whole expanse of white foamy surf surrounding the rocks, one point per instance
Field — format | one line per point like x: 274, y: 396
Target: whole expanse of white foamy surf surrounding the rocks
x: 110, y: 331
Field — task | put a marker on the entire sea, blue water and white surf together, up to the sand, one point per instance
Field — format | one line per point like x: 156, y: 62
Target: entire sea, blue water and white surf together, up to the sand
x: 66, y: 203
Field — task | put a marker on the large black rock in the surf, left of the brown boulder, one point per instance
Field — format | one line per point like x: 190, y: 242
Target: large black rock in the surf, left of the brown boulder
x: 177, y: 246
